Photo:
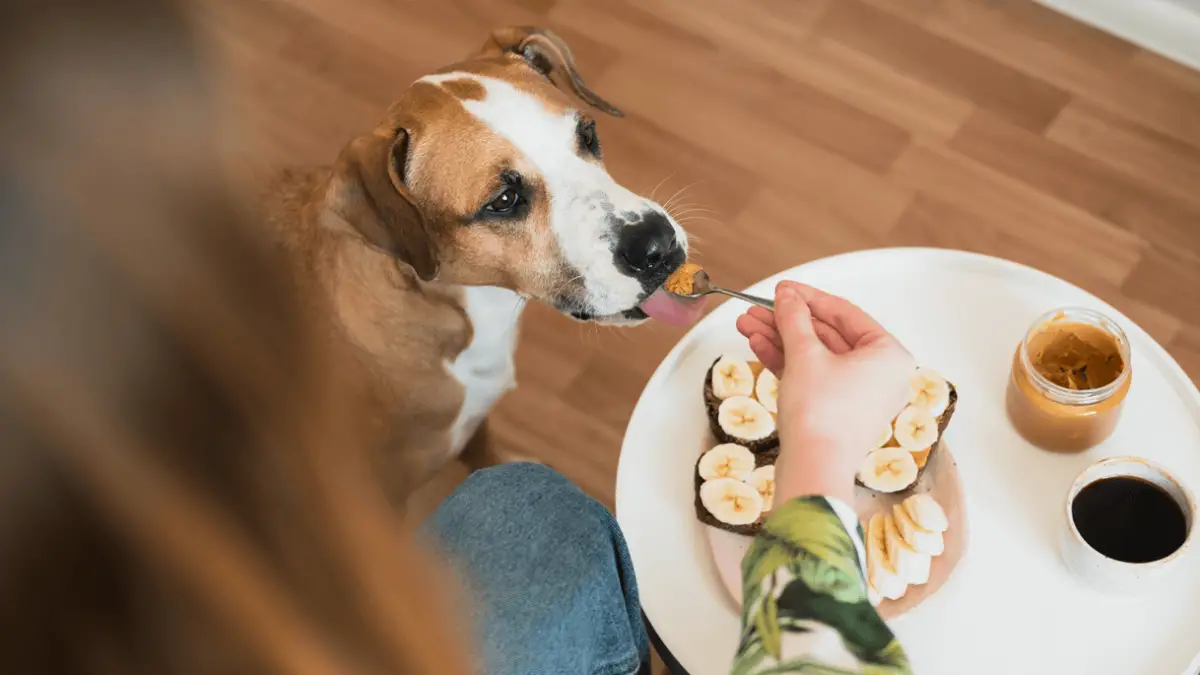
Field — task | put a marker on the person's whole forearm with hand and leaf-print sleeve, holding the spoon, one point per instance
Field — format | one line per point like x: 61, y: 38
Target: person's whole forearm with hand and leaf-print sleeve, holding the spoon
x: 806, y: 607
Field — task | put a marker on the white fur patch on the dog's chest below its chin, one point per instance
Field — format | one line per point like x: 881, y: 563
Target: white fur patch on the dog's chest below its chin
x: 485, y: 368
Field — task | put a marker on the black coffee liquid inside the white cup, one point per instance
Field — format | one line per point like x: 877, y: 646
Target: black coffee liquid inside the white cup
x: 1130, y: 519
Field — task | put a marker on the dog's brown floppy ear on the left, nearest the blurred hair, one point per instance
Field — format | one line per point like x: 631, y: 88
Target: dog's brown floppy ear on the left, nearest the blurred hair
x: 370, y: 194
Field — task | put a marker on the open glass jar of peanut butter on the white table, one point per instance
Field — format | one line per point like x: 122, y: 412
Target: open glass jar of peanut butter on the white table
x: 1070, y: 380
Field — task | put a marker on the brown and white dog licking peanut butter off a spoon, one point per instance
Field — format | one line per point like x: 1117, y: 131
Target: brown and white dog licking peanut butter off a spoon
x: 483, y: 188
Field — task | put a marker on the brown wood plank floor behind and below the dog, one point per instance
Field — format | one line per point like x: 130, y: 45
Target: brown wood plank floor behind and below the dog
x: 813, y: 127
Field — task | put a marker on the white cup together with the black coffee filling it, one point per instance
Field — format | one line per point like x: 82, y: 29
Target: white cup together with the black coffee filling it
x: 1129, y: 522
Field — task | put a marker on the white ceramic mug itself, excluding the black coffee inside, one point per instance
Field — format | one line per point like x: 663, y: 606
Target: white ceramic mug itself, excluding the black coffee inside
x: 1114, y: 576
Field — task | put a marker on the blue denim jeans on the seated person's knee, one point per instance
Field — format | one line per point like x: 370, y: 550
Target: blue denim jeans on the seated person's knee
x: 549, y: 574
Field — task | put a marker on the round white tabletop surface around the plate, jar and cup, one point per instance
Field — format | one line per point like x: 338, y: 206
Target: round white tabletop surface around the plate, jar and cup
x: 1011, y: 606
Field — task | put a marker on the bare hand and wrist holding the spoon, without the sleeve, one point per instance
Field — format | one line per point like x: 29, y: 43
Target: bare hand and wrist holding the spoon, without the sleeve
x: 843, y: 378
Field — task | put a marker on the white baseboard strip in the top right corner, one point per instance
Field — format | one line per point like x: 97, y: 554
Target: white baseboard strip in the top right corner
x: 1160, y: 26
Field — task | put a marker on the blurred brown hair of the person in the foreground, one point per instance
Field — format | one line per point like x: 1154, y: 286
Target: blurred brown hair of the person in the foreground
x: 181, y: 486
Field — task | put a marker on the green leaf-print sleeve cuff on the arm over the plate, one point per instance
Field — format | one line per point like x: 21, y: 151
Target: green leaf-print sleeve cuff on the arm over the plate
x: 806, y: 607
